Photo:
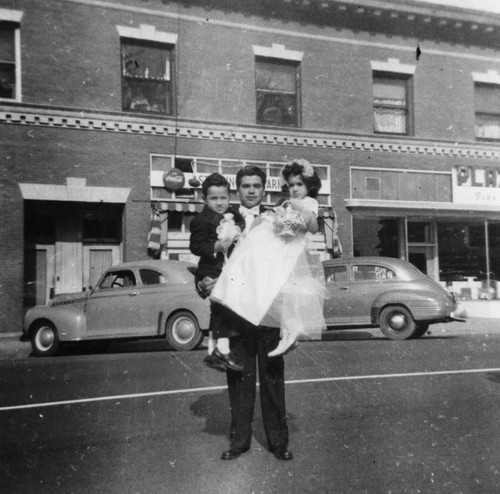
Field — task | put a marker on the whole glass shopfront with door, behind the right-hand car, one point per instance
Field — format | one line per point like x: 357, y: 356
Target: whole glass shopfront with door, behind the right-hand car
x: 468, y: 254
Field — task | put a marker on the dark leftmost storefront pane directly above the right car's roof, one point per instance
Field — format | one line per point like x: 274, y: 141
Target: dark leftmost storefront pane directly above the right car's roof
x: 375, y: 237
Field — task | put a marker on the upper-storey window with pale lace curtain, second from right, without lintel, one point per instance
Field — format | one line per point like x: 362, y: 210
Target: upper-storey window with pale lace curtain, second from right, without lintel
x: 391, y: 111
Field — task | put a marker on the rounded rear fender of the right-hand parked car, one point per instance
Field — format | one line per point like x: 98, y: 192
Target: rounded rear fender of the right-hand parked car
x: 423, y: 305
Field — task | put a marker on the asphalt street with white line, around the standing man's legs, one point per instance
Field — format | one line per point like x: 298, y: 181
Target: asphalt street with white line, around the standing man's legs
x: 366, y: 416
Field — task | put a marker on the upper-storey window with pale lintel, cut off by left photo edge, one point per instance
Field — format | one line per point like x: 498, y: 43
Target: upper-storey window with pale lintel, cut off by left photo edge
x: 10, y: 59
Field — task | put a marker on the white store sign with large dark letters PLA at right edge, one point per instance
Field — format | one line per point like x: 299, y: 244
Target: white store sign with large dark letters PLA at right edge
x: 476, y: 185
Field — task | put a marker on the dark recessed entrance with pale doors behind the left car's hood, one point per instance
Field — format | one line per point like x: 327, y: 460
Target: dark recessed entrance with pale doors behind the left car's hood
x: 68, y: 246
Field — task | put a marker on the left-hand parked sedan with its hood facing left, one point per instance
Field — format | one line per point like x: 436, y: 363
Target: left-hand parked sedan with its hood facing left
x: 145, y: 299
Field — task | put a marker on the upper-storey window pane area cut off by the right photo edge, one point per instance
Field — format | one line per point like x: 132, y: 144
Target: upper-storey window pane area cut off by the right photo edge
x: 487, y: 110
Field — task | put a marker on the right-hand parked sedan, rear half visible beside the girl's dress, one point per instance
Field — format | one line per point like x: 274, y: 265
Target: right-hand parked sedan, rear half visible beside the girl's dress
x: 386, y: 292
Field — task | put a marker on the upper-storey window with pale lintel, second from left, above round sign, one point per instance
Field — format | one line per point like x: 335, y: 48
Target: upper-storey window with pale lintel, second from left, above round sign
x: 147, y: 61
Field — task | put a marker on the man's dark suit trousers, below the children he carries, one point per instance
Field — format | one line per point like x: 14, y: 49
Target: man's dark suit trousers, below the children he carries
x: 250, y: 347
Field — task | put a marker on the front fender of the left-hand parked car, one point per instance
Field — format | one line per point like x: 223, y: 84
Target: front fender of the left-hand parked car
x: 69, y: 320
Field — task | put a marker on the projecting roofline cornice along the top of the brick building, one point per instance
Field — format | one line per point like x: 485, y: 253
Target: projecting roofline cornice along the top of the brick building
x: 446, y: 22
